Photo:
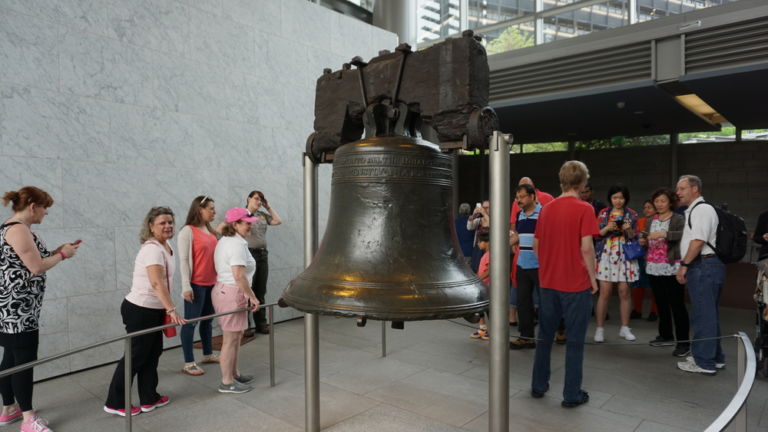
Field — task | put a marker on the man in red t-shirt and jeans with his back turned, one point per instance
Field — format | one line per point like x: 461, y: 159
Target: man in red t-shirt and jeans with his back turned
x: 566, y: 253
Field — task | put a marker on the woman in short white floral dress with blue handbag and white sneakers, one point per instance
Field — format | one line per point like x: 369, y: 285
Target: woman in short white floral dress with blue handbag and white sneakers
x: 617, y: 236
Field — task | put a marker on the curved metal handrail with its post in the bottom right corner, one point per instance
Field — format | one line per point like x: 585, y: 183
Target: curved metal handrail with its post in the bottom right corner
x: 736, y: 408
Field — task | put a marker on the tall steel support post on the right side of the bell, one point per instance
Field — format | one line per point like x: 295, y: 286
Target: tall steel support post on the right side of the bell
x: 498, y: 385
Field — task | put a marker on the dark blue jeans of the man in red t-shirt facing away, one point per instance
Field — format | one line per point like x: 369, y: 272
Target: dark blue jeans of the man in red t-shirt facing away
x: 575, y: 308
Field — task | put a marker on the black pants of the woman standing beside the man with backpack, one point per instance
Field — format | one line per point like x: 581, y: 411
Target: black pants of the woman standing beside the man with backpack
x: 670, y: 300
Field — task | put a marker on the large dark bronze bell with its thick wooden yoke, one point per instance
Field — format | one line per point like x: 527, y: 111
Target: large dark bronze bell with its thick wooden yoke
x: 390, y: 250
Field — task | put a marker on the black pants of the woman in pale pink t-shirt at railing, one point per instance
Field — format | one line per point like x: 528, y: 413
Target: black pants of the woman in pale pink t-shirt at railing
x: 145, y: 355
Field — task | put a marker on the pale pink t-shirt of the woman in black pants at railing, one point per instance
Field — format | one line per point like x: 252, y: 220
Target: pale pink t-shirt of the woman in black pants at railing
x: 151, y: 253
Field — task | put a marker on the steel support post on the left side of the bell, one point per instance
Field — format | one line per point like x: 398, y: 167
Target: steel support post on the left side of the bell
x: 311, y: 331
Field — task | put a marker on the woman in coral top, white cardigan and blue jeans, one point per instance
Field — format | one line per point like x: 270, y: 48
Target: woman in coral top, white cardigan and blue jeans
x: 196, y: 245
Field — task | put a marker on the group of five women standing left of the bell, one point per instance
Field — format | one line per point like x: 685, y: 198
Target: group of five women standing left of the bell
x: 218, y: 269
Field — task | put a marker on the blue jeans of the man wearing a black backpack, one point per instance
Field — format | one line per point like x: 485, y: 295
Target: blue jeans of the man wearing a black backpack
x: 706, y: 277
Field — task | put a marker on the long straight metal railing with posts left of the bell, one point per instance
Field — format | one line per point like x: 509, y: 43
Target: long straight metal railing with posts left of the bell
x: 128, y: 367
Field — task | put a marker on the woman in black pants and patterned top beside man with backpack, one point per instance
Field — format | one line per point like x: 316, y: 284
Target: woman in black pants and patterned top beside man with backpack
x: 662, y: 262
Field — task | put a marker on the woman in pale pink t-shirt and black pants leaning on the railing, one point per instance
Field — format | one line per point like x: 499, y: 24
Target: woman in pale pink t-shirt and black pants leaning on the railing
x: 147, y: 305
